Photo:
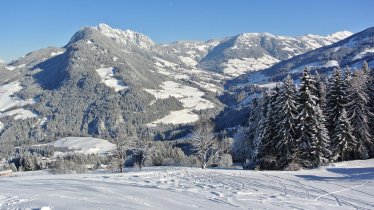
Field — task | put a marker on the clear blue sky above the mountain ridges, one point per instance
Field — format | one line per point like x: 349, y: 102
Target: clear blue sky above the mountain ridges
x: 28, y: 25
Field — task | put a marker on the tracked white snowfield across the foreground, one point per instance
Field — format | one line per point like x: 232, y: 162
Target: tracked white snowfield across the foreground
x: 347, y: 185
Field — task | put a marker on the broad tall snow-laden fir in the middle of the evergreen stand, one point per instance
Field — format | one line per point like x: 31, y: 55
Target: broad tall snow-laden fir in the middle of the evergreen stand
x: 314, y: 138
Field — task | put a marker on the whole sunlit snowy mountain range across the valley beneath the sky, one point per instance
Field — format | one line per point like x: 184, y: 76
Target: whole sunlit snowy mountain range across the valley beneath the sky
x: 107, y: 79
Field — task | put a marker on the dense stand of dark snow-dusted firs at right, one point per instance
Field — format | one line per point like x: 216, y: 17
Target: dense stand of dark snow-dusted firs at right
x: 319, y: 121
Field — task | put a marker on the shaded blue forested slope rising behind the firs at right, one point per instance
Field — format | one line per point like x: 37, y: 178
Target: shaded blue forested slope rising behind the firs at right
x: 351, y: 52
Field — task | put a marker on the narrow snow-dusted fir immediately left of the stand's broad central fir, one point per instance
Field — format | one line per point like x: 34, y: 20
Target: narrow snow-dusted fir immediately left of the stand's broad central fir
x: 286, y: 124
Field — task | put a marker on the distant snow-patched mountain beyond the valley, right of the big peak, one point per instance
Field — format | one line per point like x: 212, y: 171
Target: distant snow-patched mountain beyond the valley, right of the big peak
x: 256, y: 51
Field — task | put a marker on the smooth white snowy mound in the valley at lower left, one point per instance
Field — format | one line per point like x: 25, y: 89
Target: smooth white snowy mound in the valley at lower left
x: 85, y: 145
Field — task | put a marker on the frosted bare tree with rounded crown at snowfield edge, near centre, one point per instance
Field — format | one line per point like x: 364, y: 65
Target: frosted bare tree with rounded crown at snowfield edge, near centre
x: 205, y: 143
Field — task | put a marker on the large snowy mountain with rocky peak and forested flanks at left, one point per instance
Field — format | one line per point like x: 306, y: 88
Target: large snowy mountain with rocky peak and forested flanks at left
x: 101, y: 80
